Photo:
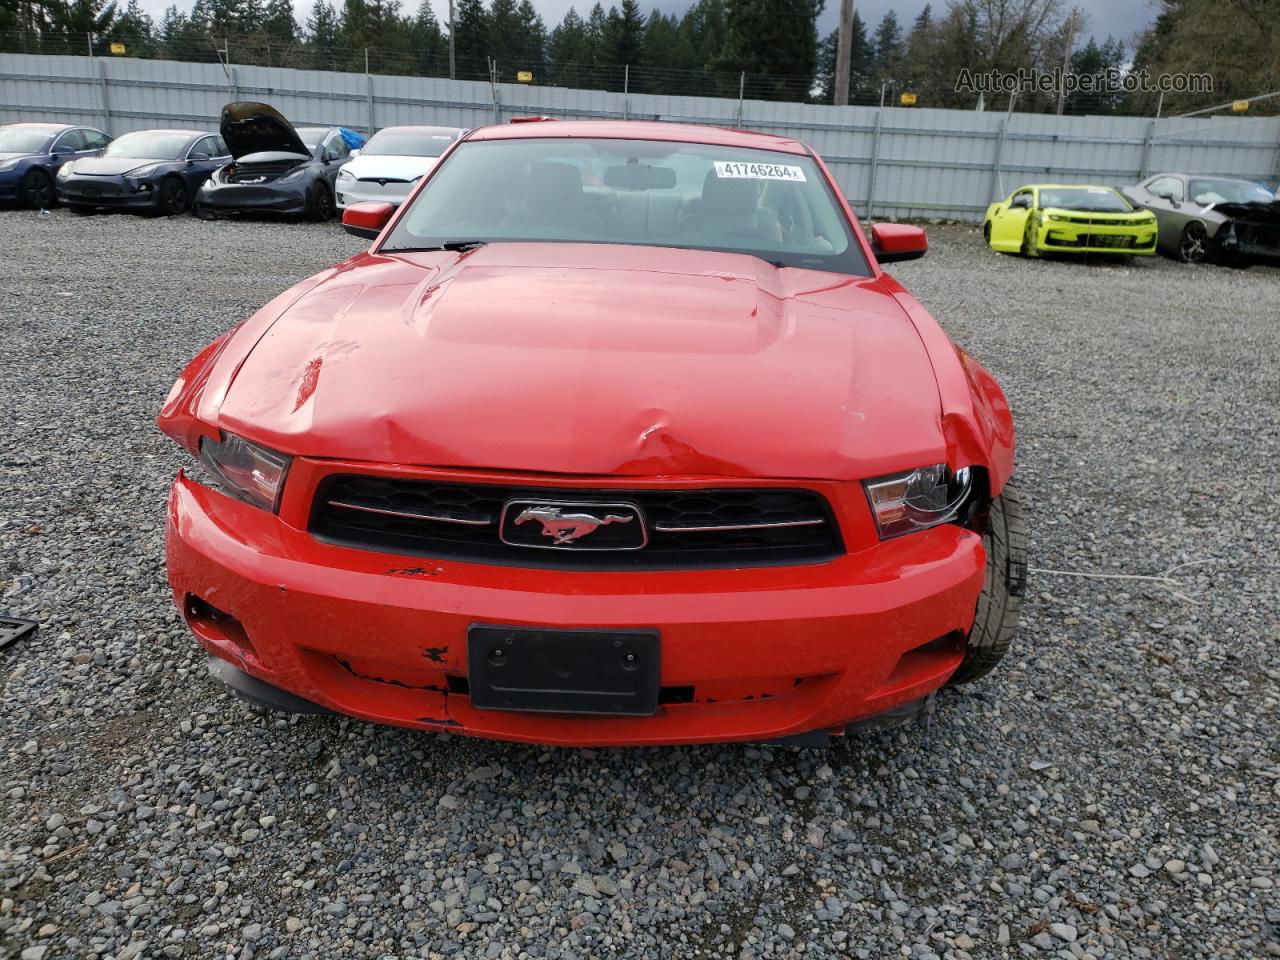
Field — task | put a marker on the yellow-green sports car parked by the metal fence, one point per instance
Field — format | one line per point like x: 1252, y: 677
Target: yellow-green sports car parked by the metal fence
x: 1048, y: 218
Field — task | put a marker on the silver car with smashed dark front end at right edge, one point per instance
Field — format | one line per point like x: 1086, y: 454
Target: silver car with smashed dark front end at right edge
x: 1212, y: 218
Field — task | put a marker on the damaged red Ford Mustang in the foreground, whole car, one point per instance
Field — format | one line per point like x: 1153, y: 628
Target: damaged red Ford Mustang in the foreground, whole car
x: 618, y: 435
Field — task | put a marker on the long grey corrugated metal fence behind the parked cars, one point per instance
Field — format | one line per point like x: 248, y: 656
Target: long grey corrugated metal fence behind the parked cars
x: 902, y: 163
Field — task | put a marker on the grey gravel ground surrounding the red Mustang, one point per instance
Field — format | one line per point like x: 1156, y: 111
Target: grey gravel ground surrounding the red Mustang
x: 1112, y: 792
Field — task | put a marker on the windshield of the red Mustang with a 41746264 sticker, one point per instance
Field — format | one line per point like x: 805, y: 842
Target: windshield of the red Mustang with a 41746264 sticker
x: 776, y: 207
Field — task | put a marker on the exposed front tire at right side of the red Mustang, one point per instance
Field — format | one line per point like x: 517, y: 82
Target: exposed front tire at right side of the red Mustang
x: 1002, y: 598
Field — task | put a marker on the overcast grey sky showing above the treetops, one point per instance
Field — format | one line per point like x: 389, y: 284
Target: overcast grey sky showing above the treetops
x: 1119, y: 19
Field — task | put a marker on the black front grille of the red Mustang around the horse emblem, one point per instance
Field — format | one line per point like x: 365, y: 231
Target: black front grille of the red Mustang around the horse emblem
x: 720, y: 528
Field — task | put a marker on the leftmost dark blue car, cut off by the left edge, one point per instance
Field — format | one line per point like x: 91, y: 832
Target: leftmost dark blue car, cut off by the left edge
x: 31, y: 154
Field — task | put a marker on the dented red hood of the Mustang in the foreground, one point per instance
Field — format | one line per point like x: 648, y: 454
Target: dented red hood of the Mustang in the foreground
x: 591, y: 359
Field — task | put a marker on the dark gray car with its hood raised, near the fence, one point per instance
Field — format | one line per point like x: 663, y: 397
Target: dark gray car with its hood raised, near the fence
x: 276, y: 167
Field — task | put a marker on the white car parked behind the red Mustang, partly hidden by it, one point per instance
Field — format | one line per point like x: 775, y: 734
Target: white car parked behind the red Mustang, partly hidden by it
x: 391, y: 163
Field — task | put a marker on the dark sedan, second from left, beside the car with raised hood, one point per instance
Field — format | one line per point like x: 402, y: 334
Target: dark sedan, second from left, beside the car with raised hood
x: 153, y: 171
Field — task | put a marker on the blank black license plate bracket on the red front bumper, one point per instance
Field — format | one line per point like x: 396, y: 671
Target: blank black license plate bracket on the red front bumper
x: 607, y: 673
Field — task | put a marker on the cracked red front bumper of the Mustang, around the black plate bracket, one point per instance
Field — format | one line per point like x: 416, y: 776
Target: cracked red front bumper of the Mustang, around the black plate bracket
x: 747, y: 655
